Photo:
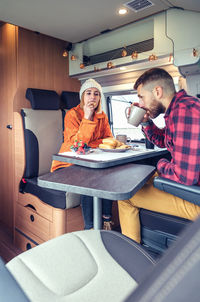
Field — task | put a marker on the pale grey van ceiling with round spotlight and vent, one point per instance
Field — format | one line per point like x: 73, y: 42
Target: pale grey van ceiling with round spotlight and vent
x: 78, y: 20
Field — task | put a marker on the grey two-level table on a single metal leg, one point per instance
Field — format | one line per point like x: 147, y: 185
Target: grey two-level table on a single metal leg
x: 102, y: 175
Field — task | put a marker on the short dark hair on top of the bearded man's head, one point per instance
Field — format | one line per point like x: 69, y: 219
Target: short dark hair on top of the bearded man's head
x: 154, y: 74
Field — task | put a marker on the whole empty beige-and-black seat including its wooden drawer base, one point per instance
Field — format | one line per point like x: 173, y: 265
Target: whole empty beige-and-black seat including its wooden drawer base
x: 41, y: 214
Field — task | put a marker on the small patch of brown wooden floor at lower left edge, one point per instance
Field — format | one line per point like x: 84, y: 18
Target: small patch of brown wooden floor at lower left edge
x: 7, y: 248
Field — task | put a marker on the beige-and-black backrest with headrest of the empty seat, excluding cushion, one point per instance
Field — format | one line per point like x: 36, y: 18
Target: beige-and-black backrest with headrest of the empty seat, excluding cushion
x: 43, y: 128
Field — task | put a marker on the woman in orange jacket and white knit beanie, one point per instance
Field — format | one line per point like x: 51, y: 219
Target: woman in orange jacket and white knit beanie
x: 87, y: 122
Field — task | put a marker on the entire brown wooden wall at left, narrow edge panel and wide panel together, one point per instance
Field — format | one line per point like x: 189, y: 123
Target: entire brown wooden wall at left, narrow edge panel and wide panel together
x: 27, y: 59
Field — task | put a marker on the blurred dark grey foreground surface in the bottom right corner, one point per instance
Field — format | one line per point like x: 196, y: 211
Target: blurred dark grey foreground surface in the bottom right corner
x: 176, y: 276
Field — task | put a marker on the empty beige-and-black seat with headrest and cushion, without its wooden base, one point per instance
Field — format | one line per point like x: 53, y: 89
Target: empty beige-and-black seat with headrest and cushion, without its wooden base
x: 43, y: 126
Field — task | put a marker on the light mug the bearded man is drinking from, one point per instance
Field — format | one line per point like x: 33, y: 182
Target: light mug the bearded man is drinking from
x: 134, y: 115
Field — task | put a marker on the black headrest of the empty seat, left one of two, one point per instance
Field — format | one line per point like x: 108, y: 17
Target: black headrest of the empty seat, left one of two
x: 43, y: 99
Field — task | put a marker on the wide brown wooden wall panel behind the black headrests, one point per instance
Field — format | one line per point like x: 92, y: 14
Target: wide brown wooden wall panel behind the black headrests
x: 41, y: 65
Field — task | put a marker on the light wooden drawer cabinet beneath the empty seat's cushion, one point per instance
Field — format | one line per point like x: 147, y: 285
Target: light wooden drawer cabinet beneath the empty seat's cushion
x: 37, y: 222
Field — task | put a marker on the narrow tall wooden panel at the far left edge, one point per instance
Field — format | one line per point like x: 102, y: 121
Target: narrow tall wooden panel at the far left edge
x: 8, y: 43
